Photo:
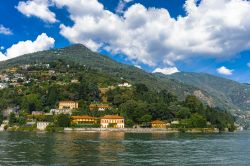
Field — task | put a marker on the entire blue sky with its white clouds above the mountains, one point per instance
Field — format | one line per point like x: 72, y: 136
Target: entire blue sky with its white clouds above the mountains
x: 164, y: 35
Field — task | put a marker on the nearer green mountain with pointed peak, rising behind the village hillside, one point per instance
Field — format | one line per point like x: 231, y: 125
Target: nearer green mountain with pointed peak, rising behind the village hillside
x: 81, y: 55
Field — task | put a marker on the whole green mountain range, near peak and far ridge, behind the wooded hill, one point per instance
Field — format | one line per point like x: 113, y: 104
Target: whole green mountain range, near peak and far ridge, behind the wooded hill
x: 214, y: 91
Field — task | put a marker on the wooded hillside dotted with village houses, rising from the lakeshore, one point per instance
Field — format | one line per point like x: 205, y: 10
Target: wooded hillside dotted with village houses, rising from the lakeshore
x: 58, y: 95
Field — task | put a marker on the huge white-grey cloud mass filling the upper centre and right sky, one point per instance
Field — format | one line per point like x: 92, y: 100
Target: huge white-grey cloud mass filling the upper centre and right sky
x: 151, y: 36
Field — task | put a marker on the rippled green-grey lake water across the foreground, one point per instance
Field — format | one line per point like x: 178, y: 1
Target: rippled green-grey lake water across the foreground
x: 124, y: 149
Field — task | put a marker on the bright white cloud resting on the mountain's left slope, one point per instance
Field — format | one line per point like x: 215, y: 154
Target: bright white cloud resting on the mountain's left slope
x: 42, y: 42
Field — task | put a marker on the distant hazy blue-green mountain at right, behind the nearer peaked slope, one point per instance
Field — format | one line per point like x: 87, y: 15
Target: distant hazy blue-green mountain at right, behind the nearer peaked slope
x: 235, y: 94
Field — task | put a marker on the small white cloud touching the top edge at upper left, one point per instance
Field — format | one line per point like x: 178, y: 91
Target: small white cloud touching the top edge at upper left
x: 38, y: 8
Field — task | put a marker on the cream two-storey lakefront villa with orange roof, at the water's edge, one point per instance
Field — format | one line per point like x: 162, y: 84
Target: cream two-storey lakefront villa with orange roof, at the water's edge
x: 112, y: 121
